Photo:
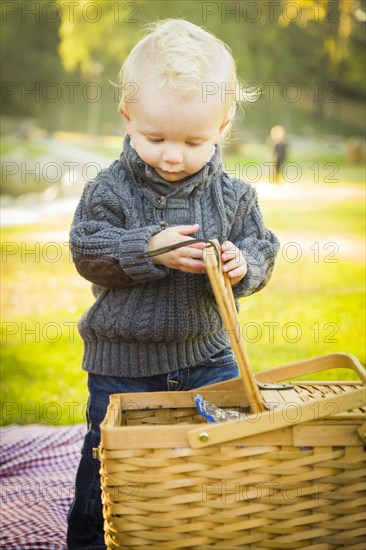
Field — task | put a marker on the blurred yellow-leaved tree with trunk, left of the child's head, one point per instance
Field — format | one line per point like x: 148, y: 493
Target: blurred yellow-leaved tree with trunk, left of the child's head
x: 95, y: 38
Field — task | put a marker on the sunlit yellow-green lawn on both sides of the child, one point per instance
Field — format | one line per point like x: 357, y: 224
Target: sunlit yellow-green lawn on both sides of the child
x: 313, y: 305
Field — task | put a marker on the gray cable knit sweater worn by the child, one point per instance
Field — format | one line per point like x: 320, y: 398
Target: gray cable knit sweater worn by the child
x: 148, y: 319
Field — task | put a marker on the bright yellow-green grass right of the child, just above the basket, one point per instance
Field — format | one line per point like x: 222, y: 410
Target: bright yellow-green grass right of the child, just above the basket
x: 308, y: 309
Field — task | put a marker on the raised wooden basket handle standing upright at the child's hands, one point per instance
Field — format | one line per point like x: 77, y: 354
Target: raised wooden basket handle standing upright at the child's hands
x: 221, y: 287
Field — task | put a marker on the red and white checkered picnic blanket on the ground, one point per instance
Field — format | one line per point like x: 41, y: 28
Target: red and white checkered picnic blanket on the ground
x: 37, y: 468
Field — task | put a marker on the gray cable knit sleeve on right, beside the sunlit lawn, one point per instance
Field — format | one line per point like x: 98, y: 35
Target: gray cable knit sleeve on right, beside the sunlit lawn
x: 258, y: 244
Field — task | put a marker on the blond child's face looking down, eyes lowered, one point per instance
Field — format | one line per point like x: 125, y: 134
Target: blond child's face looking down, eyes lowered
x: 175, y: 135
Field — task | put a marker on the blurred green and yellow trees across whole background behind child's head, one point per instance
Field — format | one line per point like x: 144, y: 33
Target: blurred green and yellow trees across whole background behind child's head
x: 317, y: 45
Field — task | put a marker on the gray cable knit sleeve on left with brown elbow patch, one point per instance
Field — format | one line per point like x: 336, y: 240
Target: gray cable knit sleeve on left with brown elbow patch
x: 103, y: 250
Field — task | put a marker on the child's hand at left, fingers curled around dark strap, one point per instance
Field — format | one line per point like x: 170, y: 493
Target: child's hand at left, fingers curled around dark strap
x: 187, y: 258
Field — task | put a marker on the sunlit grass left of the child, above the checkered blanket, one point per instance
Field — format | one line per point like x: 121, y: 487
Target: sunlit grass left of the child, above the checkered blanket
x: 41, y: 349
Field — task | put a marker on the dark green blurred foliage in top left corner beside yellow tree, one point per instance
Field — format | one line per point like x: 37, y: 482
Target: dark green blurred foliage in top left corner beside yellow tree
x: 32, y: 72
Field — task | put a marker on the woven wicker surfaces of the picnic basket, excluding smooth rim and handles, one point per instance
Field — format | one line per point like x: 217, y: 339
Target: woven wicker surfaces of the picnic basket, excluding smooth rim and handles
x: 234, y: 495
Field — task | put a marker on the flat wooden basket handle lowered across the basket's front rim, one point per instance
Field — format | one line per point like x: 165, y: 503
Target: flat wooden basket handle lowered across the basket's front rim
x: 254, y: 424
